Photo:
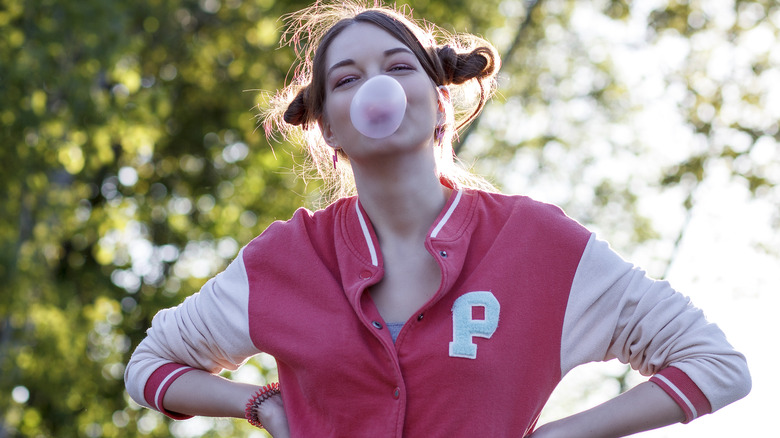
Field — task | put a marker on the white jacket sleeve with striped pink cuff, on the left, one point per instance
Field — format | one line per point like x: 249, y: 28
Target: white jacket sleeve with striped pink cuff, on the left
x: 208, y: 331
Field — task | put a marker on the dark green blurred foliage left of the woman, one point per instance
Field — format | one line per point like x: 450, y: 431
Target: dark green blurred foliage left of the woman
x: 133, y: 170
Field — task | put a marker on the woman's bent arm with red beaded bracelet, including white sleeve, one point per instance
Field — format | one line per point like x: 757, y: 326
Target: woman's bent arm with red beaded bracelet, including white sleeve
x: 174, y: 369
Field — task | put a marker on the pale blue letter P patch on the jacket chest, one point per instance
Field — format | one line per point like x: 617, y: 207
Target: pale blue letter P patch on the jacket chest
x: 465, y: 327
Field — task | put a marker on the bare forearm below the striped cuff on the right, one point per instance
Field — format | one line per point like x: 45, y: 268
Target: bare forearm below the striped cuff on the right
x: 644, y: 407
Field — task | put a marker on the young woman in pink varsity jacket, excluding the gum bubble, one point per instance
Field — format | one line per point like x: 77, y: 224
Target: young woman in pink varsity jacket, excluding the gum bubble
x: 427, y: 305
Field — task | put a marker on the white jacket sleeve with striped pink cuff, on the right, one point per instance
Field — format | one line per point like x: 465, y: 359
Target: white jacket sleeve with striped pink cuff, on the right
x: 616, y: 311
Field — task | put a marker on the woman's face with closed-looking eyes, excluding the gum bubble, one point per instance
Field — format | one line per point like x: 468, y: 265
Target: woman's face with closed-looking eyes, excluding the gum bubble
x: 360, y: 52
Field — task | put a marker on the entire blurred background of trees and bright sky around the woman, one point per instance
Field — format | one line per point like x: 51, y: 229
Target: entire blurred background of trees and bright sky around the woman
x: 133, y: 169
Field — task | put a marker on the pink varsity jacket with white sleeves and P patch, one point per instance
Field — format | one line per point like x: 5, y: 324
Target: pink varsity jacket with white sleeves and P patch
x: 526, y: 295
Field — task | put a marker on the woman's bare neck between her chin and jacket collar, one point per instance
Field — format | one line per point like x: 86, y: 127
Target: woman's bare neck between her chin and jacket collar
x: 401, y: 194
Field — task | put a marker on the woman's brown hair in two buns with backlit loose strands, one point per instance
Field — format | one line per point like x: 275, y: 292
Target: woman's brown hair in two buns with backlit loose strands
x: 465, y: 63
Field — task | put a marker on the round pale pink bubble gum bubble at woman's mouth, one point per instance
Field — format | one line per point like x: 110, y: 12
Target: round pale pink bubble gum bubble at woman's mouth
x: 378, y: 107
